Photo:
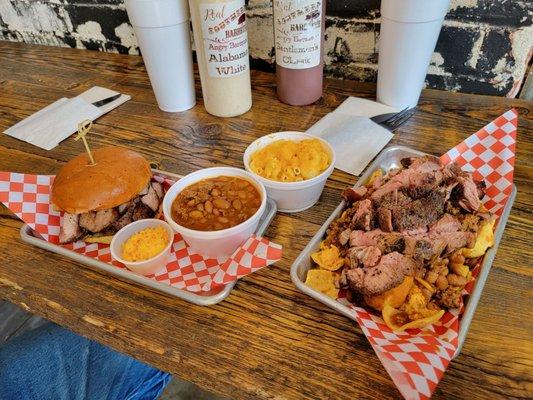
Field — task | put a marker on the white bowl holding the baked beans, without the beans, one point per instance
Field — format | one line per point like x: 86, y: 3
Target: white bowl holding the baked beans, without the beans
x: 220, y: 243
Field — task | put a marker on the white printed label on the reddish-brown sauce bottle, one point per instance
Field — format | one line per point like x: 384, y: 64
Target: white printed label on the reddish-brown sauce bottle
x: 297, y: 25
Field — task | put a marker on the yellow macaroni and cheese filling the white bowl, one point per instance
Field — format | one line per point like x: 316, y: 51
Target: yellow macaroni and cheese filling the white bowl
x: 288, y: 161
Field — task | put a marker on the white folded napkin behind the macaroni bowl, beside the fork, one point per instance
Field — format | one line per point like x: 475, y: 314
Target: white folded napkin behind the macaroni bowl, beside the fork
x: 354, y: 137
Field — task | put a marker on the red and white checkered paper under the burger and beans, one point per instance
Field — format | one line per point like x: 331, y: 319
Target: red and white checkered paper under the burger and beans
x: 28, y: 197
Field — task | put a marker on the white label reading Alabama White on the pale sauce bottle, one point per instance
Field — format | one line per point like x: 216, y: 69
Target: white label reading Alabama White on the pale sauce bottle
x: 225, y: 38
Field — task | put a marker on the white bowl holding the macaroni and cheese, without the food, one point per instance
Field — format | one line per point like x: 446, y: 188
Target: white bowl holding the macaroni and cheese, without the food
x: 291, y: 196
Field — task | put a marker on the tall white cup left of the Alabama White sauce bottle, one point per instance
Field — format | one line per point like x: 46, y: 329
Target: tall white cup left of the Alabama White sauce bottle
x: 163, y: 33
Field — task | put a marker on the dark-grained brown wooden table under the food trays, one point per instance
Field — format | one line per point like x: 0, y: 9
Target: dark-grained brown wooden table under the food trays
x: 266, y: 340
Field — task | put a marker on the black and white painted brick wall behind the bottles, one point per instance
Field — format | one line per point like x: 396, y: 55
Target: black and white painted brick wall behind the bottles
x: 485, y: 46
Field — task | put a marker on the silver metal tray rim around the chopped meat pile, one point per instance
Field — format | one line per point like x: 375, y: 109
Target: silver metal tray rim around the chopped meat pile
x: 387, y: 159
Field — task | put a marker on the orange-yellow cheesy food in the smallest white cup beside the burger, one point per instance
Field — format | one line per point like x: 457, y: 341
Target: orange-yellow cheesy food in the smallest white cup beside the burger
x: 145, y: 244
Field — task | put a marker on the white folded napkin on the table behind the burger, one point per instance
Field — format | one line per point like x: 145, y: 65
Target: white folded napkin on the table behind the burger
x: 48, y: 127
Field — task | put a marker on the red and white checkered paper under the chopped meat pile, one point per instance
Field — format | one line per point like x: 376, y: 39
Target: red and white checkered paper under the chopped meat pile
x: 416, y: 359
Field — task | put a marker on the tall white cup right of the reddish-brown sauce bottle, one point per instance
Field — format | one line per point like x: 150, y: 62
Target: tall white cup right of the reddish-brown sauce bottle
x: 408, y: 35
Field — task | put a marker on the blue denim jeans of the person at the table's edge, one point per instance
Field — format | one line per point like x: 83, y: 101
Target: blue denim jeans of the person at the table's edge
x: 53, y: 363
